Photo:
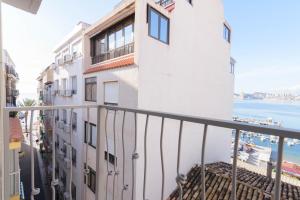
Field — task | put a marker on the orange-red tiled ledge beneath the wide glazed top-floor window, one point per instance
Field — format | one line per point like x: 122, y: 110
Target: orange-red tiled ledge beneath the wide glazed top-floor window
x: 116, y: 63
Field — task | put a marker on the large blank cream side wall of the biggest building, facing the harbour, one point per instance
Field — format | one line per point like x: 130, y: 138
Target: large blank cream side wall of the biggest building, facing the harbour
x: 190, y: 76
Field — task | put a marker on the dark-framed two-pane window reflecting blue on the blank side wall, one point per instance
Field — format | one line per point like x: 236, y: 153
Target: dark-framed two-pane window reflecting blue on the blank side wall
x: 158, y: 25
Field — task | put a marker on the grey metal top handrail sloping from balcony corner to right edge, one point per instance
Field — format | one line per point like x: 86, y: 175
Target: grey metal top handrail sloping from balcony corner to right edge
x: 269, y: 130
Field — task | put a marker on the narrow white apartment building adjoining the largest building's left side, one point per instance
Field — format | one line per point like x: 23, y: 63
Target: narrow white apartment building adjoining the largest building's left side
x: 69, y: 127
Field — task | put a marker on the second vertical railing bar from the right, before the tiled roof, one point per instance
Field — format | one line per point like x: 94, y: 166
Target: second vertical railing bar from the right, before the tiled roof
x: 234, y: 169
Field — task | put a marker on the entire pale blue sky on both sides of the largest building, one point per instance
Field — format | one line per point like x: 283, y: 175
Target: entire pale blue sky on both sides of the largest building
x: 265, y: 39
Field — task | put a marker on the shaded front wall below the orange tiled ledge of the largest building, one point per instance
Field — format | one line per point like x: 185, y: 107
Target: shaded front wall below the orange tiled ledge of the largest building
x: 127, y: 97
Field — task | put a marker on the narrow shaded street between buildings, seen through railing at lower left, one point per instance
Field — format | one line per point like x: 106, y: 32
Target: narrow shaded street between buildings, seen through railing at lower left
x: 26, y: 173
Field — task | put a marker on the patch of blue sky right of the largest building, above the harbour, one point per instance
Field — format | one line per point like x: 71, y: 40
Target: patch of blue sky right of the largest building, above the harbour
x: 265, y: 43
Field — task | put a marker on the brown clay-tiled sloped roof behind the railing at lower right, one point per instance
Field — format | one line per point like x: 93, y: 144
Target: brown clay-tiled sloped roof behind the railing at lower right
x: 250, y: 186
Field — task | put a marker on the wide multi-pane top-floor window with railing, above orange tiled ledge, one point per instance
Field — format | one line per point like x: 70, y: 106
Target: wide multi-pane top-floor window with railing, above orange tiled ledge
x: 113, y: 42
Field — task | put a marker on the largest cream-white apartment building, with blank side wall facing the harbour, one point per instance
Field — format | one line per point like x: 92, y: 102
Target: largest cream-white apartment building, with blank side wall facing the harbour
x: 156, y: 55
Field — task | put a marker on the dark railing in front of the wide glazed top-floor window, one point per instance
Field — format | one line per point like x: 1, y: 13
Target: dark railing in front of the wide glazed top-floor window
x: 121, y: 51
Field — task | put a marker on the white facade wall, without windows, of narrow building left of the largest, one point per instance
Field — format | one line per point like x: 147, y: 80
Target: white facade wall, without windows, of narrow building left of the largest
x: 74, y: 68
